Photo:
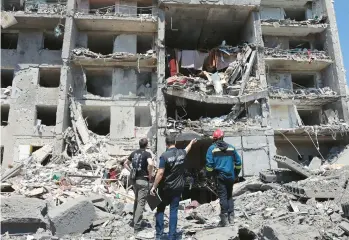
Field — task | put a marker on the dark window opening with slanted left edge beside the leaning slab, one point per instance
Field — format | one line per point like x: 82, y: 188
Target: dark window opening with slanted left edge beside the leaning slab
x: 97, y: 118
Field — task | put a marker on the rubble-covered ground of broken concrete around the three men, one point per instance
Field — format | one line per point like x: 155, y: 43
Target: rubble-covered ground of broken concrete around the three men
x: 83, y: 193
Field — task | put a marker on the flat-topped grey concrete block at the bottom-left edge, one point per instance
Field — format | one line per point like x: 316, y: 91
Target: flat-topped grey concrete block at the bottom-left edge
x: 22, y: 215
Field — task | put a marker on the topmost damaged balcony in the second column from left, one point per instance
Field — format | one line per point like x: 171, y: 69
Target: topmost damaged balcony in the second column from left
x: 110, y: 16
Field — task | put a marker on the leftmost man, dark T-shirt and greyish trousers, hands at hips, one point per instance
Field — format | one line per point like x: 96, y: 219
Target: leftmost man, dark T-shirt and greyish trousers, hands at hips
x: 141, y: 160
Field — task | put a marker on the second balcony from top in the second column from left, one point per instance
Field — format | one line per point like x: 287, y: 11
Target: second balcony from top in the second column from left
x: 124, y: 50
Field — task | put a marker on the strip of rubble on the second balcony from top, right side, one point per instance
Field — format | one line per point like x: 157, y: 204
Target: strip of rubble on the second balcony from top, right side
x: 296, y: 54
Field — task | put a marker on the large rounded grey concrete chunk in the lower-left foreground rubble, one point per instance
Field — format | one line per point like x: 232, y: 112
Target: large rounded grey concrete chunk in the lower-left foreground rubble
x: 75, y: 216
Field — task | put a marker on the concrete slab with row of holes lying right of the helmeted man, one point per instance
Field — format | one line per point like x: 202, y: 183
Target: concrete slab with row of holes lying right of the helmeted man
x: 279, y: 176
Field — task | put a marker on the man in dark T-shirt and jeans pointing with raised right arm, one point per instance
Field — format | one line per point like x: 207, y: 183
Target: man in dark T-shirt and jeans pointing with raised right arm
x: 171, y: 172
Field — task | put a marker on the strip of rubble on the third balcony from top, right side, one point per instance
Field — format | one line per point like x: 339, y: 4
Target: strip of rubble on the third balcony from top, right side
x: 309, y: 93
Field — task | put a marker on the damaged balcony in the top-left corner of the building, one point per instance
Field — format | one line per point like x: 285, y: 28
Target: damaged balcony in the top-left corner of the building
x: 34, y: 14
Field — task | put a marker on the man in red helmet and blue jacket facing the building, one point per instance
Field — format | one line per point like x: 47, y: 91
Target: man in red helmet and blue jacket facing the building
x: 224, y: 163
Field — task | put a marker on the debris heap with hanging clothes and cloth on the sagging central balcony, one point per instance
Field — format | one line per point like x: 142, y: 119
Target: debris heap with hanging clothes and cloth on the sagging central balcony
x: 224, y: 70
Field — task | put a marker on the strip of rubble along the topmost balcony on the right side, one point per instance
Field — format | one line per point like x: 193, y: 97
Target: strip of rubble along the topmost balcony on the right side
x: 289, y: 22
